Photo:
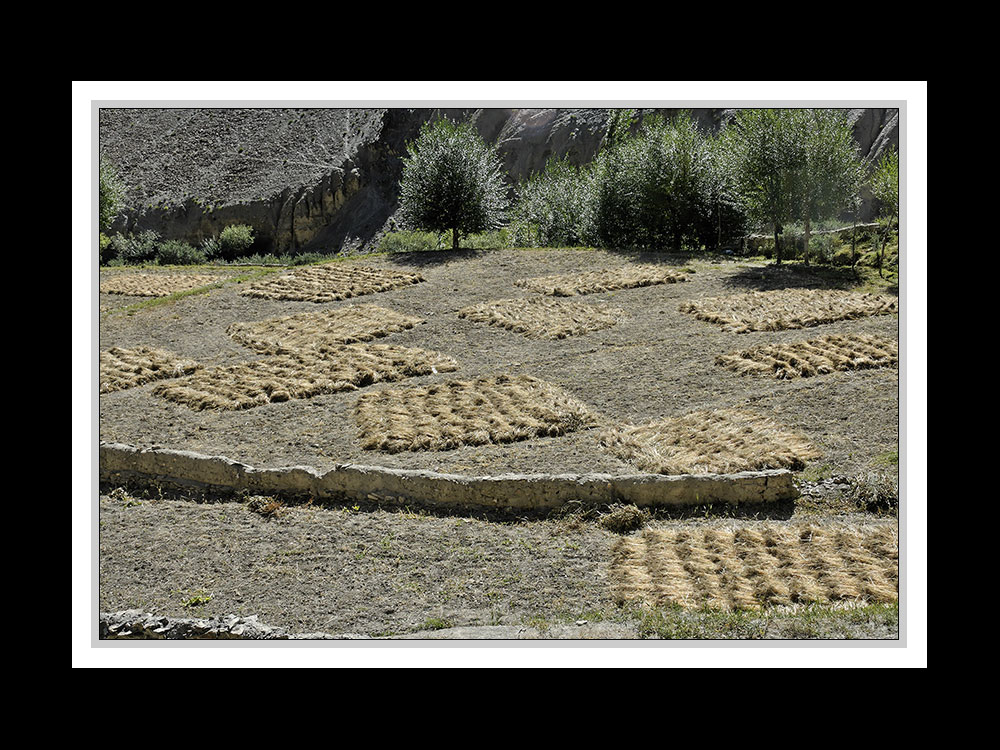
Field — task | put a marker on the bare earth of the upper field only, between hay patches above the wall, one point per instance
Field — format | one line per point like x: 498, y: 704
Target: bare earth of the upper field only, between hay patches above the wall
x: 657, y: 362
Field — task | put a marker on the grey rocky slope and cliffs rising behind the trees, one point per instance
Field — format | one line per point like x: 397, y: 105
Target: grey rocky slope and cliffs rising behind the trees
x: 328, y: 179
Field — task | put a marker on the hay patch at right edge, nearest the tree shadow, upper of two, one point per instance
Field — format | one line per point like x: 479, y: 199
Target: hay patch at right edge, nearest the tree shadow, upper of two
x: 788, y: 308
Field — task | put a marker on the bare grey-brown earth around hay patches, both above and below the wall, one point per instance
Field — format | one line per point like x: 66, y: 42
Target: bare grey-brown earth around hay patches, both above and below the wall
x: 379, y: 572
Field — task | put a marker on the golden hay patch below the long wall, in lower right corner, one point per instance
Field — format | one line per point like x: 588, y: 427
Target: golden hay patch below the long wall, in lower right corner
x: 758, y: 565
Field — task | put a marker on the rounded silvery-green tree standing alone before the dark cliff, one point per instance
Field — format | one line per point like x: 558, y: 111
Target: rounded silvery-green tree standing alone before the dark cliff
x: 452, y: 181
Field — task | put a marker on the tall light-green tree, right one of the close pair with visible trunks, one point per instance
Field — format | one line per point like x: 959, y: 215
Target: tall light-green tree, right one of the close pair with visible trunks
x: 827, y: 167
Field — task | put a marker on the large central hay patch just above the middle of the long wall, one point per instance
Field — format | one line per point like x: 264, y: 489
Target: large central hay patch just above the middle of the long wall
x: 449, y: 415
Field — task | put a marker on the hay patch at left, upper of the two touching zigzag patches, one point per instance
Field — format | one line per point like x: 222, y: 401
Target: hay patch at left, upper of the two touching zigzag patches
x: 320, y: 330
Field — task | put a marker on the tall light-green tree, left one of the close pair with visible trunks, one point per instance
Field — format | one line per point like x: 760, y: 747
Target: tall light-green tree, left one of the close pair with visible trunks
x: 764, y: 156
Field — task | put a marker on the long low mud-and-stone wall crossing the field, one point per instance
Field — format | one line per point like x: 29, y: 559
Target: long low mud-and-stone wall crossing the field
x: 353, y: 483
